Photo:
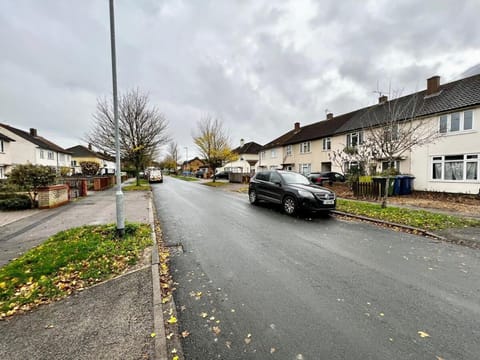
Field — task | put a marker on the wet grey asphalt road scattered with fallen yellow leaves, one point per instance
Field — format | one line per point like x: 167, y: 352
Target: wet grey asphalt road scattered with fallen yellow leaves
x: 254, y: 283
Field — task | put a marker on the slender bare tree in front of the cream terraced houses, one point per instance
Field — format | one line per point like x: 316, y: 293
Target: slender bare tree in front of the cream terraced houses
x: 395, y: 127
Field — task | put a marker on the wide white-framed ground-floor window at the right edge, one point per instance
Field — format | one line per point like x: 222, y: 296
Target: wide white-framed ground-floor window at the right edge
x: 455, y: 167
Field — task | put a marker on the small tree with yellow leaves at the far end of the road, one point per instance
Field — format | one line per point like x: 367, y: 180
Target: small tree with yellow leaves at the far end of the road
x: 213, y: 142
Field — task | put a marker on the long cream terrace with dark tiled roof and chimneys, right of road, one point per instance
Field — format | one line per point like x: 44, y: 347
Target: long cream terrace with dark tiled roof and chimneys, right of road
x: 448, y: 159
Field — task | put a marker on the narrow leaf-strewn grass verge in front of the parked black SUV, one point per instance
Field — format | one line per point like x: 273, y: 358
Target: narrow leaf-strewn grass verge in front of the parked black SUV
x: 417, y: 218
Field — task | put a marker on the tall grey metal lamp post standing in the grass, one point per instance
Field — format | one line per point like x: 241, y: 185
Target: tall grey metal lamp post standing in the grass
x: 119, y: 194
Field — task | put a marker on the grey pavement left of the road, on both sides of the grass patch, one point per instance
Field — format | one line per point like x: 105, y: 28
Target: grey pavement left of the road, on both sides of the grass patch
x: 112, y: 320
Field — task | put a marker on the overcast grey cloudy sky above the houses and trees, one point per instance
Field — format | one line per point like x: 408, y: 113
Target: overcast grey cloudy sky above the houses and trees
x: 258, y: 65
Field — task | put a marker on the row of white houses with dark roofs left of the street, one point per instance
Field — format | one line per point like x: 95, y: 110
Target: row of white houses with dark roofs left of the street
x: 28, y: 147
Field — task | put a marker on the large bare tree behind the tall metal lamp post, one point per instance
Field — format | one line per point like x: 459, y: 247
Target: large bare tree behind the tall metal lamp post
x: 142, y: 129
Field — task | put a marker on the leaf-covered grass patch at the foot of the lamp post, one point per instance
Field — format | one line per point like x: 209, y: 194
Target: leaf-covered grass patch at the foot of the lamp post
x: 67, y: 262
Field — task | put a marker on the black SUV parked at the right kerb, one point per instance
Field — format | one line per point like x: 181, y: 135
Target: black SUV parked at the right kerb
x: 293, y: 190
